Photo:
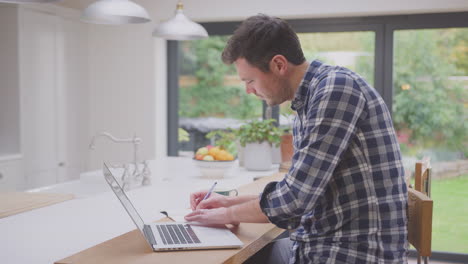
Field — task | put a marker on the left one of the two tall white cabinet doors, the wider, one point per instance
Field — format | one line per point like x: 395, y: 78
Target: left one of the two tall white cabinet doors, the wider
x: 38, y: 97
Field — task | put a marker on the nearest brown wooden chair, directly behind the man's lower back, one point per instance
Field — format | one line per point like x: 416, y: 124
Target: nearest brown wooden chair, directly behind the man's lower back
x: 420, y: 223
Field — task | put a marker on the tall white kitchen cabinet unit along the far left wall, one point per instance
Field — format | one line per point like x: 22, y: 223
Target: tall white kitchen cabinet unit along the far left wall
x: 47, y: 91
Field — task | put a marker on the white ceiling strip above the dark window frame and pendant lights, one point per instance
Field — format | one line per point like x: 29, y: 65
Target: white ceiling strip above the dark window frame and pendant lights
x: 226, y: 10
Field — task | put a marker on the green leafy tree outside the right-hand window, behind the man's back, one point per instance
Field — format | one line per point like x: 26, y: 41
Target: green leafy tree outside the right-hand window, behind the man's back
x: 425, y: 101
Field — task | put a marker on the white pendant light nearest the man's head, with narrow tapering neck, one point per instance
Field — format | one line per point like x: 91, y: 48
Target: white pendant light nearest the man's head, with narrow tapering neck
x: 180, y: 27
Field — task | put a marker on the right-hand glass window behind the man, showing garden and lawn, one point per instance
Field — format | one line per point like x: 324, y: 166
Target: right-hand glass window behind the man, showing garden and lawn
x: 430, y: 92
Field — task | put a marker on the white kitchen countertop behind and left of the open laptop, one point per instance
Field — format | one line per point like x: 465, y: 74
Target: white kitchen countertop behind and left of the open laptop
x: 52, y: 233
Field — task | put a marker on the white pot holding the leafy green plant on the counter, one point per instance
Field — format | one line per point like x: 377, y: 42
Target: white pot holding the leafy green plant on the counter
x: 257, y: 156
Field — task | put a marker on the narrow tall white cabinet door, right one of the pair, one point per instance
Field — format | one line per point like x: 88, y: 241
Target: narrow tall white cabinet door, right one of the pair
x: 72, y: 97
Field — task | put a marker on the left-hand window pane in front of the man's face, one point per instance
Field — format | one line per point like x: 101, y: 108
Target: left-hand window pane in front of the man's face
x: 211, y: 95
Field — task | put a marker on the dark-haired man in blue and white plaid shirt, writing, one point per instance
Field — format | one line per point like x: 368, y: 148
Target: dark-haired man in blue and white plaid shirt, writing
x: 344, y: 197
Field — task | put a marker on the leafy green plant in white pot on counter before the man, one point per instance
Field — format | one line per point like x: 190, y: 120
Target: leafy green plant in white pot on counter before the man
x: 257, y: 138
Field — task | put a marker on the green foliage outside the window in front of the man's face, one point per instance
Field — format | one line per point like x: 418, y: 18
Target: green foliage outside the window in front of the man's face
x: 210, y: 96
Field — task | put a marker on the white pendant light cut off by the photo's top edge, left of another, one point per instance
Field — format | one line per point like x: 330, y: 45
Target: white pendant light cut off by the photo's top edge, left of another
x: 115, y: 12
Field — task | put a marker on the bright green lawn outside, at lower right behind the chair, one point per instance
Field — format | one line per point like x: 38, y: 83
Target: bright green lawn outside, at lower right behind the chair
x: 450, y: 222
